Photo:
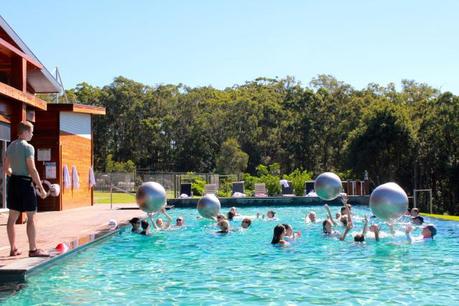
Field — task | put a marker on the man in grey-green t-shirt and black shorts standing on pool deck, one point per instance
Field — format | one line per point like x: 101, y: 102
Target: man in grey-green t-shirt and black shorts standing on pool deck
x: 19, y: 164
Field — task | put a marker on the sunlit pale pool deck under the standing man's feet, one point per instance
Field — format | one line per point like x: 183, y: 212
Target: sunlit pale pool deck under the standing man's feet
x: 75, y: 227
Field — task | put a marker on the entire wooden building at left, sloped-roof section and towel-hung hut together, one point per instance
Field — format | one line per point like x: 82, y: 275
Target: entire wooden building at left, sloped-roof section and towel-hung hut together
x: 62, y: 136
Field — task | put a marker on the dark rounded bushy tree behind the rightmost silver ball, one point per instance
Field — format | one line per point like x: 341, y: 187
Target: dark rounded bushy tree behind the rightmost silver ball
x: 383, y: 144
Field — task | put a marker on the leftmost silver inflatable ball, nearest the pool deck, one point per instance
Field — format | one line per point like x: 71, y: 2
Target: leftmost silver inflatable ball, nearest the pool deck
x: 151, y: 197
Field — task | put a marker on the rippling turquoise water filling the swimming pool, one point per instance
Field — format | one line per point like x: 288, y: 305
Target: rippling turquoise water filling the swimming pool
x: 195, y: 266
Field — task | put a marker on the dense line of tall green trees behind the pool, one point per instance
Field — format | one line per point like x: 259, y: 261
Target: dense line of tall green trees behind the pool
x: 408, y: 135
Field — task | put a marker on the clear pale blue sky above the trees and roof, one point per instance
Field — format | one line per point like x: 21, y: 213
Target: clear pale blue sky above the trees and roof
x: 222, y: 43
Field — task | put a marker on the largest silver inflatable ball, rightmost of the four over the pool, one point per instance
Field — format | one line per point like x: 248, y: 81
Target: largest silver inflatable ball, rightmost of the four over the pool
x: 388, y: 201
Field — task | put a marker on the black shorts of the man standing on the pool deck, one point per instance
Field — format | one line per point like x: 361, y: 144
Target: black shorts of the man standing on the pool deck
x: 20, y: 194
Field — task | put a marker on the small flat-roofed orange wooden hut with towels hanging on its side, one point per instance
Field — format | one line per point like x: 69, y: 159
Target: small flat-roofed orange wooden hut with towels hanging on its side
x: 63, y: 142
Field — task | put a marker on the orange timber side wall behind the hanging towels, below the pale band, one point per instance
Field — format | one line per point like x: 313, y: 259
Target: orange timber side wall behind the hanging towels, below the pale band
x: 76, y: 151
